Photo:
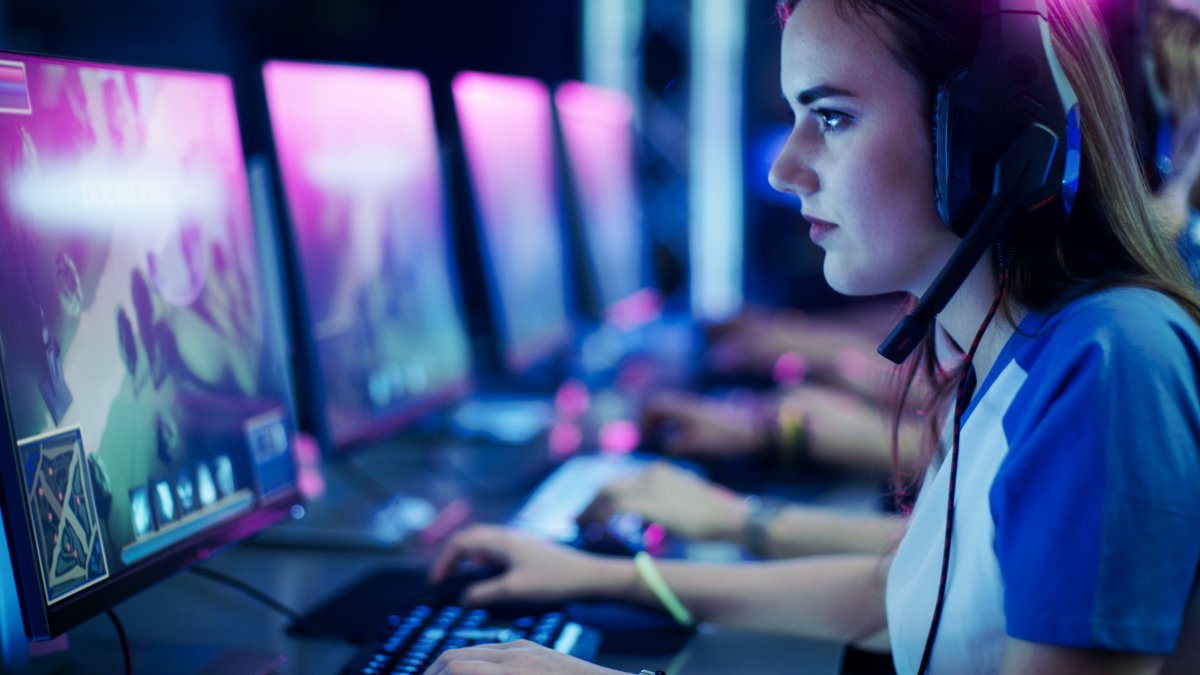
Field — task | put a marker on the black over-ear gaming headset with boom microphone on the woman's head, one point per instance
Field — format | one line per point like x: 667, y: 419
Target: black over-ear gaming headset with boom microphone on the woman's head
x: 1007, y: 145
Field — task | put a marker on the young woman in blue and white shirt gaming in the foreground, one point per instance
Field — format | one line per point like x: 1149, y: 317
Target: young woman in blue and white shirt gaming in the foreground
x: 1076, y: 543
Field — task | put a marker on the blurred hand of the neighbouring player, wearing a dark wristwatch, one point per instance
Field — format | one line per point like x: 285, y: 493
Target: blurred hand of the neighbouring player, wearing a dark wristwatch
x: 676, y: 499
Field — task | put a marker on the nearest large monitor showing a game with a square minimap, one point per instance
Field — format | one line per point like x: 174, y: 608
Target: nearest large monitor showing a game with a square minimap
x: 147, y: 414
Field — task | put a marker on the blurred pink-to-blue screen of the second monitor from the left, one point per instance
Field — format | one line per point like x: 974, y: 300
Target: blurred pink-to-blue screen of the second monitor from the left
x: 358, y: 156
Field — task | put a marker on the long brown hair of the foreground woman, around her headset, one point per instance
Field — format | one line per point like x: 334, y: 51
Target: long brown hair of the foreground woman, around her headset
x: 1111, y: 238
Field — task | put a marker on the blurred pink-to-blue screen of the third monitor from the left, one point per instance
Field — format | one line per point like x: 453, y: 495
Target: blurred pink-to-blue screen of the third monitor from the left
x: 507, y: 130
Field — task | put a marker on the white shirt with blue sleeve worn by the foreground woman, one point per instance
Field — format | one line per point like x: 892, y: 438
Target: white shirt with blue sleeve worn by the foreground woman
x: 1078, y: 499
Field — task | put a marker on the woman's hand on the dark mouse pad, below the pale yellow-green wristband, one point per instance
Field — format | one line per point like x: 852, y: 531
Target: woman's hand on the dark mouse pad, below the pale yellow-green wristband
x: 536, y: 571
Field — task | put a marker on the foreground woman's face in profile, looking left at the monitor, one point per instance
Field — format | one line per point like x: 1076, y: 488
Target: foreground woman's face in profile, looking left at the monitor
x: 860, y: 156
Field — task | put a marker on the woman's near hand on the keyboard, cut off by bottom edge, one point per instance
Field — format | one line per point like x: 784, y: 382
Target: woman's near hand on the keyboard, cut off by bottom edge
x: 521, y: 658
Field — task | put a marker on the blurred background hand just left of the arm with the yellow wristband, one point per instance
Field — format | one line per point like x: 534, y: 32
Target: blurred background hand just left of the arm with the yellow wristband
x: 706, y: 429
